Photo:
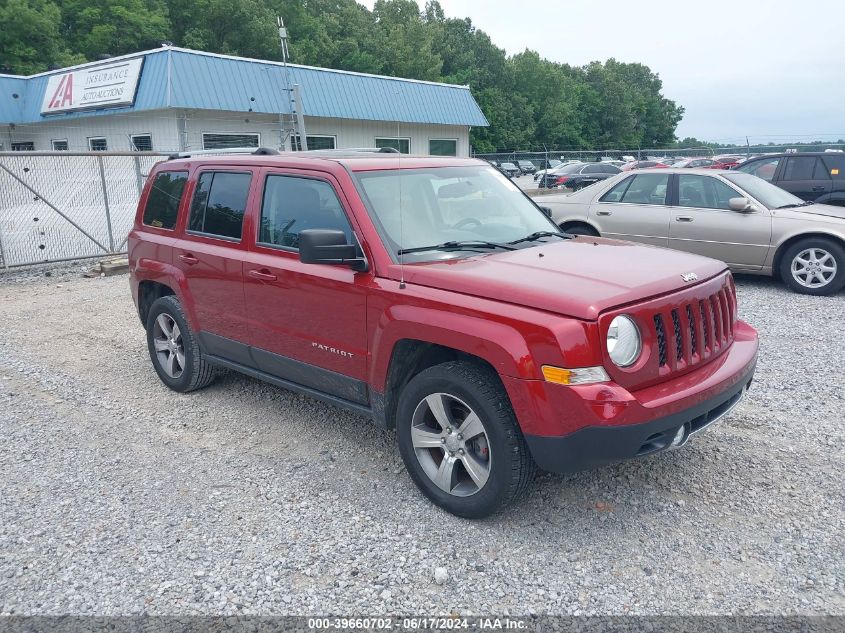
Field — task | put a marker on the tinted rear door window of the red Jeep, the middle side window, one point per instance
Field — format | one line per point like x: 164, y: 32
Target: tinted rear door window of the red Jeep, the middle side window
x: 219, y: 204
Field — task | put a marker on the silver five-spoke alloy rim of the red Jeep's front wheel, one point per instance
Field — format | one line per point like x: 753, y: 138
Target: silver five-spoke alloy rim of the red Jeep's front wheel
x: 451, y: 444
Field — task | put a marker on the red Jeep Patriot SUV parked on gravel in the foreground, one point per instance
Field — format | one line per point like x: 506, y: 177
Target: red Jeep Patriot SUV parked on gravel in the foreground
x: 432, y: 295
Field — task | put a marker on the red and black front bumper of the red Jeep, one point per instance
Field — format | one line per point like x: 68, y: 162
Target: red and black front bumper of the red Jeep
x: 604, y: 423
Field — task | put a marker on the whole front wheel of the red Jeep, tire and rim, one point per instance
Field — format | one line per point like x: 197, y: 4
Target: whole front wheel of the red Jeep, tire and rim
x: 460, y: 440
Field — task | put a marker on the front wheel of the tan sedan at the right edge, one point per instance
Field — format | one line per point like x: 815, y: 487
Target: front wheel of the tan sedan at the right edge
x: 814, y: 266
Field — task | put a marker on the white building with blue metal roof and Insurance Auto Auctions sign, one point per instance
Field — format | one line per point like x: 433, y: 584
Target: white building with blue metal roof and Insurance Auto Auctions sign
x: 173, y: 99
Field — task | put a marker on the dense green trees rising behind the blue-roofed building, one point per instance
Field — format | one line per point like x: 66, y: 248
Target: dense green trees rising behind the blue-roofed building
x: 530, y: 101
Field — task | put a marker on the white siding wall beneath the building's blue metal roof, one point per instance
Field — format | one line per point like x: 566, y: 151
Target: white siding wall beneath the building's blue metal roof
x: 164, y: 127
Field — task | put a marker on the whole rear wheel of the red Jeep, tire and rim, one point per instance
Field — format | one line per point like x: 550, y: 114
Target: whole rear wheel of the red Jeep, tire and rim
x: 174, y: 349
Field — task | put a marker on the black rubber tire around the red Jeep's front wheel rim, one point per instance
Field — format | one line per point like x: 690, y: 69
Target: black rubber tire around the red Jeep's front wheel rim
x: 511, y: 467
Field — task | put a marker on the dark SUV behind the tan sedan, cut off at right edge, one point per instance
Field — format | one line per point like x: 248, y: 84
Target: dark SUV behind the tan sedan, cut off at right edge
x: 812, y: 176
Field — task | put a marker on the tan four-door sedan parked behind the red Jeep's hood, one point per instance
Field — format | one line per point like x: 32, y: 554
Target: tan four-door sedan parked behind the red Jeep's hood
x: 741, y: 219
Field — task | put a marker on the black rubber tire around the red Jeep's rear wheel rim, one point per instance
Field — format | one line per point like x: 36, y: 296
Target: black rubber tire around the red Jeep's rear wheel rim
x: 197, y: 372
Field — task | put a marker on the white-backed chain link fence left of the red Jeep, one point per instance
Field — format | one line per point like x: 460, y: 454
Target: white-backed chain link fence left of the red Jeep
x: 60, y: 206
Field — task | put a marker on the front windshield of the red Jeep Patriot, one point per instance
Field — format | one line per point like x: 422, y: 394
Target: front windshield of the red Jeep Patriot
x: 413, y: 208
